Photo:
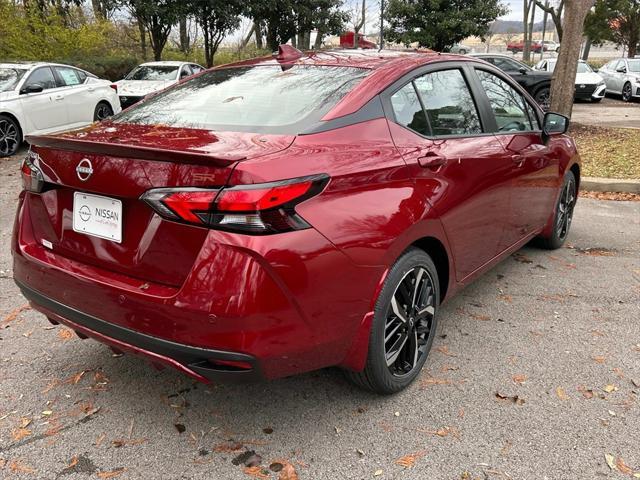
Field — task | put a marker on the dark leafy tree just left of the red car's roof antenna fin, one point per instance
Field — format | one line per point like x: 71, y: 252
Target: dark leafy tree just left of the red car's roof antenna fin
x: 216, y: 18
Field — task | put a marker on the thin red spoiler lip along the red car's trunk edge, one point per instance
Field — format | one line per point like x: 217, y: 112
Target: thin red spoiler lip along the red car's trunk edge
x: 131, y: 151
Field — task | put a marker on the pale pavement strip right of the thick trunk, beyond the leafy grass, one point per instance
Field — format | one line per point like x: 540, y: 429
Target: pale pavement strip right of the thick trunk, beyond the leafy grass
x: 610, y: 112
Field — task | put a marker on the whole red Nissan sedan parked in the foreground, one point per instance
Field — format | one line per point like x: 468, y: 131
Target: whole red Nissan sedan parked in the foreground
x: 290, y: 213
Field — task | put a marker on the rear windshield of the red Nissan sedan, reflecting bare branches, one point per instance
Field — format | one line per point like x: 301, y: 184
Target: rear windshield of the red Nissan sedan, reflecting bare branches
x: 260, y: 99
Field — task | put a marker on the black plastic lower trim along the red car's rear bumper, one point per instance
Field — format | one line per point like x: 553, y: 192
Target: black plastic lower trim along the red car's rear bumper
x: 194, y: 358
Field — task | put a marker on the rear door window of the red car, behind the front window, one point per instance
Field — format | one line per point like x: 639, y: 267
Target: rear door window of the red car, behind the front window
x: 448, y: 102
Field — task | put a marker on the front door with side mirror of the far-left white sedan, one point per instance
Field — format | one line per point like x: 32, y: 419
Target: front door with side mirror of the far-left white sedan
x: 45, y: 110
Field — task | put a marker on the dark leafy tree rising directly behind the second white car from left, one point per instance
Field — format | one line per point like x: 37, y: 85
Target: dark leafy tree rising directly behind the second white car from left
x: 157, y: 17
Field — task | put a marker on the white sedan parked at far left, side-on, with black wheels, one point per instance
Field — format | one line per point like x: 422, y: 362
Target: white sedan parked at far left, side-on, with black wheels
x: 41, y: 97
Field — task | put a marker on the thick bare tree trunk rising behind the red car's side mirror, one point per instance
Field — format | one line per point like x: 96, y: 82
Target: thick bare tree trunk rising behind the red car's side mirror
x: 564, y: 75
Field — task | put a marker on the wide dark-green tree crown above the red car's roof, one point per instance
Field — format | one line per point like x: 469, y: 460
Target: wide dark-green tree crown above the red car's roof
x: 438, y: 25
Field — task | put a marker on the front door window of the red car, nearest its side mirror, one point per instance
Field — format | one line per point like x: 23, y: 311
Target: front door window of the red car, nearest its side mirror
x: 509, y: 107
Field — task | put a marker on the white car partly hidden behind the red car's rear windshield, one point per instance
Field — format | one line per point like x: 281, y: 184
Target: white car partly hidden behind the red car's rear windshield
x: 152, y: 77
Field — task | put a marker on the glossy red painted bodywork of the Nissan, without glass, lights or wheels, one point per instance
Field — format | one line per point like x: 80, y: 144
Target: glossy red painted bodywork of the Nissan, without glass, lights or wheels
x: 276, y: 305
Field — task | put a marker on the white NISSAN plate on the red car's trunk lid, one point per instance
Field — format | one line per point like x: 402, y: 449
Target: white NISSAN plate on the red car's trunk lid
x: 97, y: 216
